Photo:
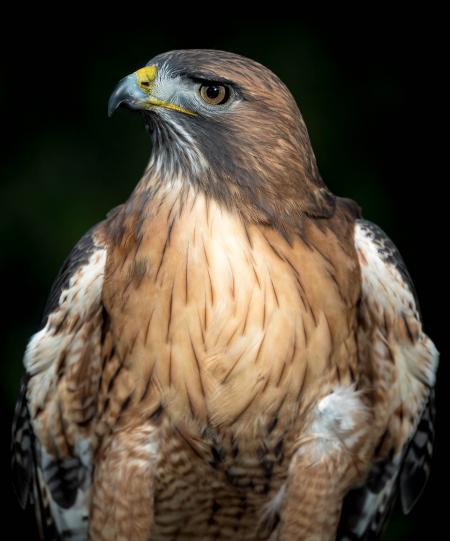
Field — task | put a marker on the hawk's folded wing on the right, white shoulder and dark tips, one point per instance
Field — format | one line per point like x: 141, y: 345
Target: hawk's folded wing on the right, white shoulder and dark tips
x: 398, y: 364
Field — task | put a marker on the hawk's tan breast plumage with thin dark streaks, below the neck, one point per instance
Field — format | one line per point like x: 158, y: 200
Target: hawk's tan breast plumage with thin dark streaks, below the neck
x: 224, y: 322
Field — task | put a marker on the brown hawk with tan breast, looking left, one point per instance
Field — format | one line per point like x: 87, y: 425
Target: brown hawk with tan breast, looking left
x: 233, y: 353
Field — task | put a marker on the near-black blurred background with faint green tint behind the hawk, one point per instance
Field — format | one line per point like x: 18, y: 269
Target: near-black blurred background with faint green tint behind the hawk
x: 369, y: 88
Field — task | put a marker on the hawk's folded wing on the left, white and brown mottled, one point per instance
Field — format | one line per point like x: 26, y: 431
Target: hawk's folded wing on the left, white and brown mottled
x: 51, y: 442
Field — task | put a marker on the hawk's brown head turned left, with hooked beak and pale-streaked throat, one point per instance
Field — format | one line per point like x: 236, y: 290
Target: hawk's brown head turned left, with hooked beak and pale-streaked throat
x: 229, y: 126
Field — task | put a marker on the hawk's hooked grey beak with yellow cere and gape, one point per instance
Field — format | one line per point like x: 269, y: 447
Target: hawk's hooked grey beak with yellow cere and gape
x: 136, y: 91
